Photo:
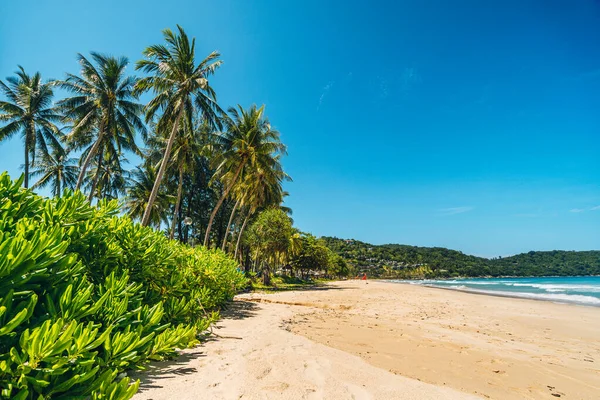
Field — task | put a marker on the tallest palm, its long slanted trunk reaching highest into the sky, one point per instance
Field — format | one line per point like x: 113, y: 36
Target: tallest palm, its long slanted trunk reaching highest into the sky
x: 179, y: 84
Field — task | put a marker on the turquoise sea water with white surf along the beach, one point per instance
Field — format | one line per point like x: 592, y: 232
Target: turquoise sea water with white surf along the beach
x: 583, y: 290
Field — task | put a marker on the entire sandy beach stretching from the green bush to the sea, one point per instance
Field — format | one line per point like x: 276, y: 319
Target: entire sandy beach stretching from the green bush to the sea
x: 351, y: 340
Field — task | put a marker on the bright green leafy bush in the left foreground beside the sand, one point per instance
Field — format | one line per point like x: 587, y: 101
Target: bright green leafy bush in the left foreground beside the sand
x: 86, y: 294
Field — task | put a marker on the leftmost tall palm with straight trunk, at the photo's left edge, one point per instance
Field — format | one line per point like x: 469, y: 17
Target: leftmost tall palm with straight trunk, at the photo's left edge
x: 29, y: 110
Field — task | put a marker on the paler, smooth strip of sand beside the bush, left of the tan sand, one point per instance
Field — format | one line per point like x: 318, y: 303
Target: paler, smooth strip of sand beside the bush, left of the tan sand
x: 255, y: 356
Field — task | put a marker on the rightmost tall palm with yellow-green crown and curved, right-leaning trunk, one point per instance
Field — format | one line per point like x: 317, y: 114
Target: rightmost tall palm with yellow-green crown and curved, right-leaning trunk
x: 249, y: 142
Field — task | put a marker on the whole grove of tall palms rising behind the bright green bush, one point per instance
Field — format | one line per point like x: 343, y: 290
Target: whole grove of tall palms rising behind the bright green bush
x: 204, y: 175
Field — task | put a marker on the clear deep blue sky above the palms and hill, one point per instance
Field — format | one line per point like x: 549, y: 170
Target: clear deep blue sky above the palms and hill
x: 473, y: 125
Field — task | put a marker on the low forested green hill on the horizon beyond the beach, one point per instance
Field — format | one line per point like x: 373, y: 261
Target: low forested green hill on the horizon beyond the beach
x: 402, y: 261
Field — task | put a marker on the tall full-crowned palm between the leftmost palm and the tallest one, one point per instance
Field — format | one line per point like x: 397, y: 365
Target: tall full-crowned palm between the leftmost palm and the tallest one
x: 103, y: 105
